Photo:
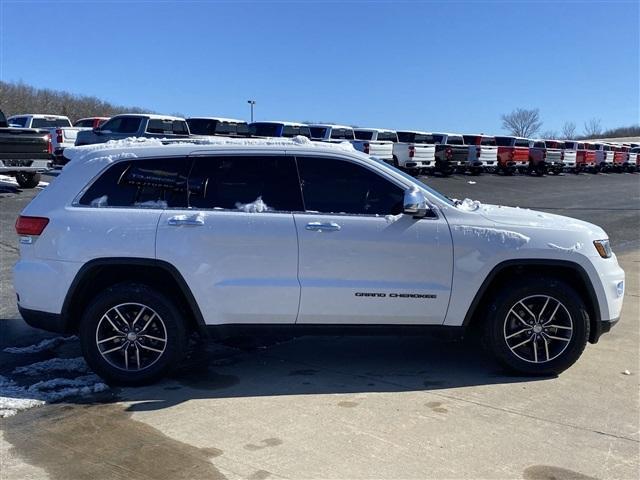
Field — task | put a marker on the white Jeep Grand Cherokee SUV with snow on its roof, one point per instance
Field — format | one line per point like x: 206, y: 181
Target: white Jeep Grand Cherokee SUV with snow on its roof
x: 135, y: 245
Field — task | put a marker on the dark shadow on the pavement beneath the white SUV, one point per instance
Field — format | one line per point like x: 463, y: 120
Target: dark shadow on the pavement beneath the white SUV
x: 319, y: 366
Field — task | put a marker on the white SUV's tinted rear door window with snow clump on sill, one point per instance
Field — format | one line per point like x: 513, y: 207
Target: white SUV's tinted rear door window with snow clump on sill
x: 249, y: 183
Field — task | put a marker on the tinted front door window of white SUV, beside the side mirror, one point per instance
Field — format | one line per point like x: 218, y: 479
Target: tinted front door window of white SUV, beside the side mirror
x: 338, y: 186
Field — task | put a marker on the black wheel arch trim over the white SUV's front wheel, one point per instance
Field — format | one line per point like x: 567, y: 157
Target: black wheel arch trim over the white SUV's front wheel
x: 568, y: 271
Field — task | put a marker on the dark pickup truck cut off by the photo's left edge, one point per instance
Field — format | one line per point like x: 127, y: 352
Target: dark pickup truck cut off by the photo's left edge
x: 24, y: 153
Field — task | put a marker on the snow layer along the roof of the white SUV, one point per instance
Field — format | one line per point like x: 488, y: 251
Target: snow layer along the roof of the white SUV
x: 158, y: 146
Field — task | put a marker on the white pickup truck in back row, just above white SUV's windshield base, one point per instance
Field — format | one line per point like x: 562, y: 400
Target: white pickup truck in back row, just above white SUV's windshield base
x: 414, y: 151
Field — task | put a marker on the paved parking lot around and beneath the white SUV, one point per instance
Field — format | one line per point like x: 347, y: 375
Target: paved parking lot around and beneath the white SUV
x: 341, y: 407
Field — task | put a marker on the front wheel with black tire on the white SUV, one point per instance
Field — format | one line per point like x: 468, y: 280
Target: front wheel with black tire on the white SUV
x: 501, y: 321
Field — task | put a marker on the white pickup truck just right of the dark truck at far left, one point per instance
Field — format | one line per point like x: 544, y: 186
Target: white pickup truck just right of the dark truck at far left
x: 63, y: 135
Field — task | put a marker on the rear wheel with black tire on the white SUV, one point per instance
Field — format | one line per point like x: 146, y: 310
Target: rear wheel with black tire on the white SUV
x: 172, y: 328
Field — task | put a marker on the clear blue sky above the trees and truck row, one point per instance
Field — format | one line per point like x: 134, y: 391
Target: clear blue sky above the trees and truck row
x: 453, y: 66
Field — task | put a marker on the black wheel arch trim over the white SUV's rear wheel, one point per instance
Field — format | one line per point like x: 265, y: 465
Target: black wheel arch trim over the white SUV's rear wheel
x: 96, y: 275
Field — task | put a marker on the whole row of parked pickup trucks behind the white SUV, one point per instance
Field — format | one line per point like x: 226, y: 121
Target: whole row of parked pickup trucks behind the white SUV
x: 414, y: 151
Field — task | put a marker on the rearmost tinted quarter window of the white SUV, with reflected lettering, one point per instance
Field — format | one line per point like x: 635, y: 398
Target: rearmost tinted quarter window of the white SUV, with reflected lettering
x: 152, y: 183
